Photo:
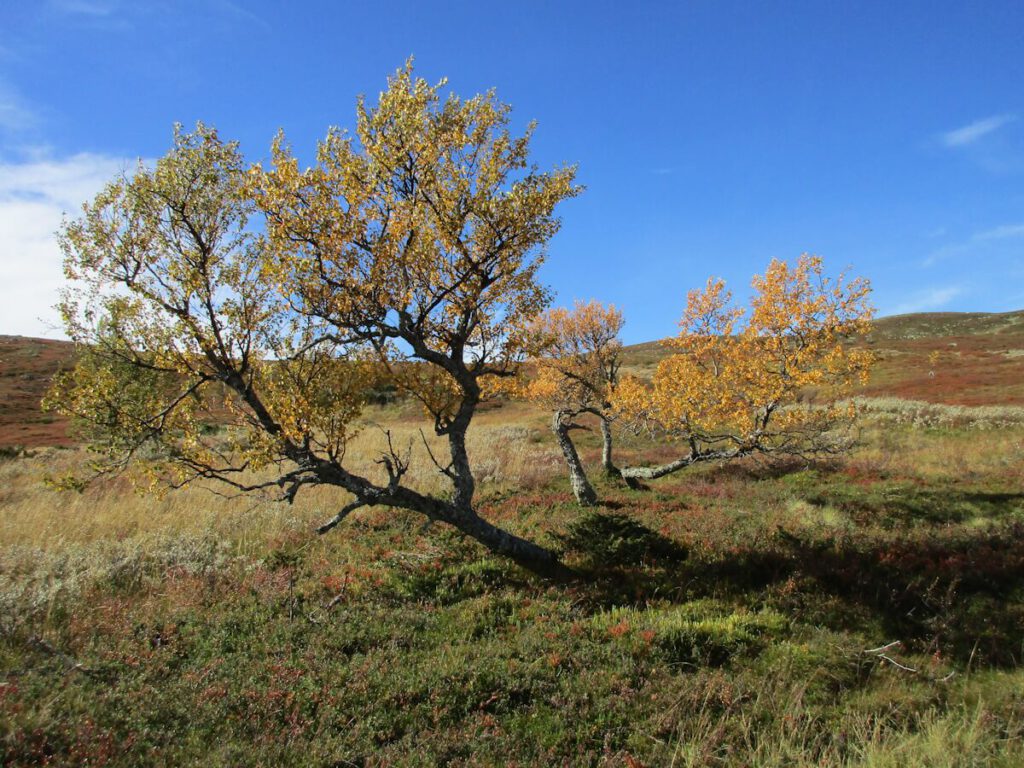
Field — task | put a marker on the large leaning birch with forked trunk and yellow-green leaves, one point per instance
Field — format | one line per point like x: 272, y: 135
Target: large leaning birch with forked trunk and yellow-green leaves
x: 267, y: 301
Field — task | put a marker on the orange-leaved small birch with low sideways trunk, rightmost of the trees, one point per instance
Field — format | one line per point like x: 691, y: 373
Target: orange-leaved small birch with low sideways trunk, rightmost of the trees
x: 763, y: 381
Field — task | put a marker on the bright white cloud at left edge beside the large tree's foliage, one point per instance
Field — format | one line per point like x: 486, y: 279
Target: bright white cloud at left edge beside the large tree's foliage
x: 34, y: 197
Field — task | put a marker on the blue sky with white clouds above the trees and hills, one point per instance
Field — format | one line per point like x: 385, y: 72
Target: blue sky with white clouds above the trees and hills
x: 712, y: 136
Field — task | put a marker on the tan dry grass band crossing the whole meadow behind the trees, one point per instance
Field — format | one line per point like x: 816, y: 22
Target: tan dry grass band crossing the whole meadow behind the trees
x: 897, y: 438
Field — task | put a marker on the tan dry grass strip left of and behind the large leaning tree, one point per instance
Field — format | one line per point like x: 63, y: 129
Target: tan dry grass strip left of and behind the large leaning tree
x: 38, y: 517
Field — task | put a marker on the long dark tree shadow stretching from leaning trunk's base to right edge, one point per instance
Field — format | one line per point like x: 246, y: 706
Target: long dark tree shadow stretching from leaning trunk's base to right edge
x: 950, y: 592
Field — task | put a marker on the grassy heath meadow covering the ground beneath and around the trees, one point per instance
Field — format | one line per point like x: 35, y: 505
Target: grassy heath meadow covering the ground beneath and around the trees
x: 863, y: 612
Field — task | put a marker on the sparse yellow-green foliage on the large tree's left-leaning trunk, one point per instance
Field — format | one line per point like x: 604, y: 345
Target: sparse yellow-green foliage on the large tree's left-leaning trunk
x: 173, y: 309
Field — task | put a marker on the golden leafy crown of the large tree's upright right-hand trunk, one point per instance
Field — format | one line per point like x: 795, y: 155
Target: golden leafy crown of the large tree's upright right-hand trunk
x: 429, y: 227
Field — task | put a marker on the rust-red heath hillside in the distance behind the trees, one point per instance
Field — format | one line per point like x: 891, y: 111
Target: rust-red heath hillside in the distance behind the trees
x: 982, y: 362
